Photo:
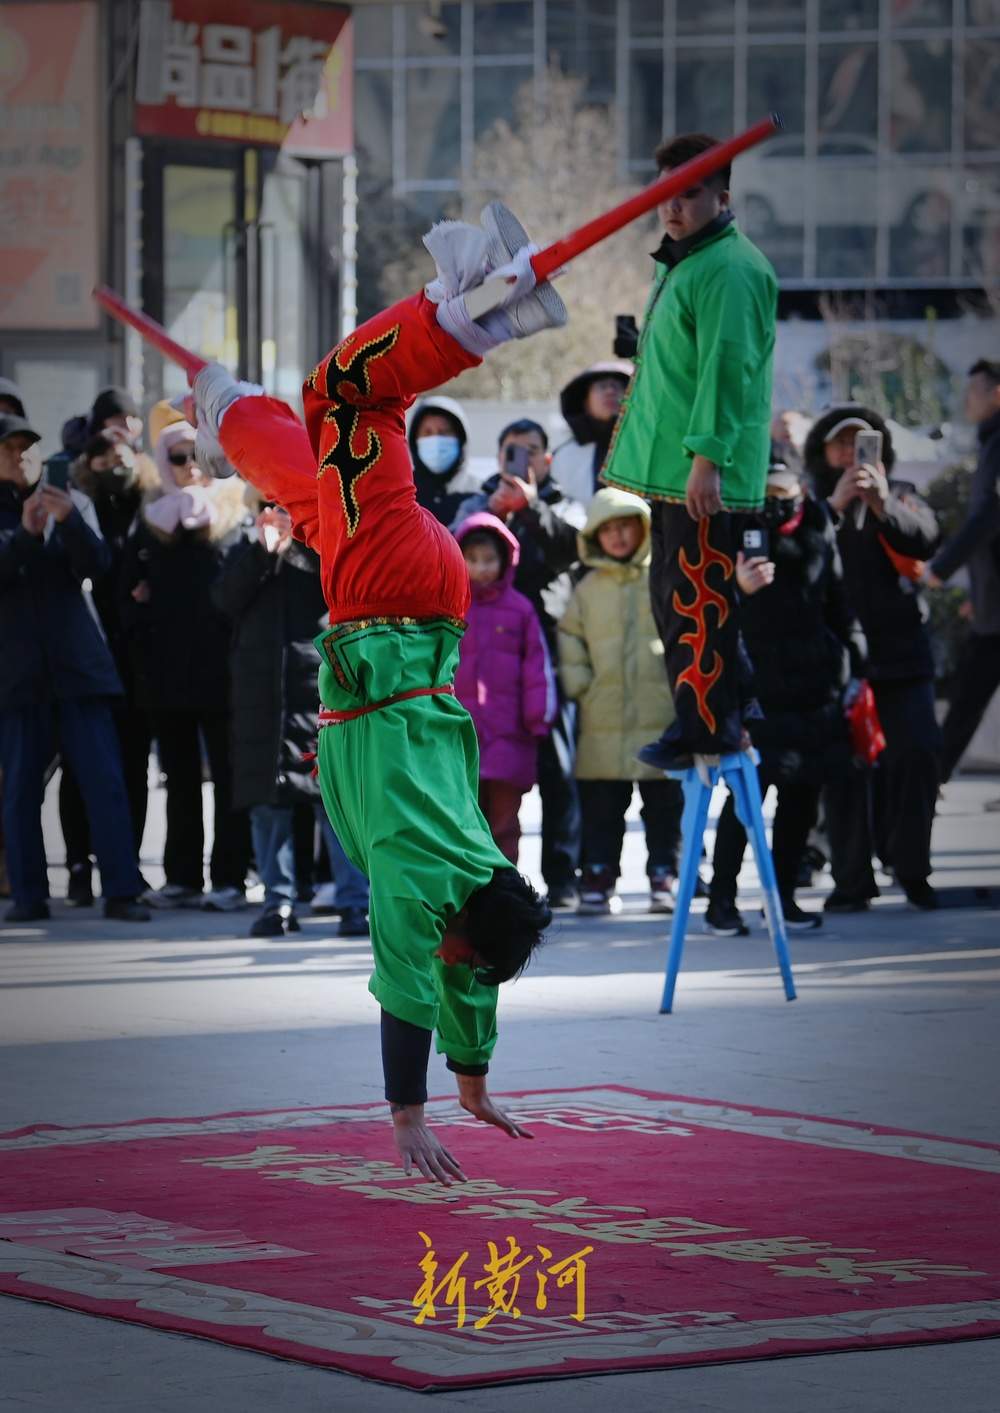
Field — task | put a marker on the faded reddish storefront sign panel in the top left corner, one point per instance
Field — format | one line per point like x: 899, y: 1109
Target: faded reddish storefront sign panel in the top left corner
x: 49, y: 166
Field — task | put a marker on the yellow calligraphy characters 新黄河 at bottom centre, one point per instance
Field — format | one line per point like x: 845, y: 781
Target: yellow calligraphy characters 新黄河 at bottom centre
x: 502, y: 1282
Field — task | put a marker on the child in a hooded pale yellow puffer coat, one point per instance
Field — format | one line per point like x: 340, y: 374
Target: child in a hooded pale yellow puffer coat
x: 612, y: 663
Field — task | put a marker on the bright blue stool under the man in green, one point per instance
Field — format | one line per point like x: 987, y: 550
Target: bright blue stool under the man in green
x: 739, y: 771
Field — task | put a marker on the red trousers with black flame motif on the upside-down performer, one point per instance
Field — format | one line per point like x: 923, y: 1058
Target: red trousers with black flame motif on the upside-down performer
x: 347, y: 478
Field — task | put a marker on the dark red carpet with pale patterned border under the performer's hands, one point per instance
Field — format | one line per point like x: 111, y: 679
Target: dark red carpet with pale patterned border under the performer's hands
x: 717, y: 1234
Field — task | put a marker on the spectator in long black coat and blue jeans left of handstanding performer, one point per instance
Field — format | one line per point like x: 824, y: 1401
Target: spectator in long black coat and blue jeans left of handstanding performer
x: 270, y: 590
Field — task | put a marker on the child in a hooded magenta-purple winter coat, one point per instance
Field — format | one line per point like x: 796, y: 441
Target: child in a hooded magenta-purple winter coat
x: 505, y: 678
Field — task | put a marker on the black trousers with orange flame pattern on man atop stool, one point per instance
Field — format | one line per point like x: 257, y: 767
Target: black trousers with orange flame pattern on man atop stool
x: 693, y: 587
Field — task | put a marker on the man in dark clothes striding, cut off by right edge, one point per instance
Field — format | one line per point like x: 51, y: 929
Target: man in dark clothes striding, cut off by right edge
x: 978, y: 545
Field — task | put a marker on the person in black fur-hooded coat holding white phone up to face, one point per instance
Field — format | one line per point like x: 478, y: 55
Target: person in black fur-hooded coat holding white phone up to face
x: 885, y: 533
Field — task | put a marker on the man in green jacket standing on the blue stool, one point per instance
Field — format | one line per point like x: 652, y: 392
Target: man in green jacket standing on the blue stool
x: 694, y: 439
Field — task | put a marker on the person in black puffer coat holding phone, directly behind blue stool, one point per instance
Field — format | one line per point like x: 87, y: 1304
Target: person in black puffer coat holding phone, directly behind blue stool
x: 806, y: 648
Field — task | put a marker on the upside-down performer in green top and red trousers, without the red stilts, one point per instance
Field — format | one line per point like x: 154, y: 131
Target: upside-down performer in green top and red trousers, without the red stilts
x: 399, y: 761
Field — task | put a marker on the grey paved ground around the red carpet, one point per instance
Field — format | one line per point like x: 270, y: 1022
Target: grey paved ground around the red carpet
x: 896, y: 1024
